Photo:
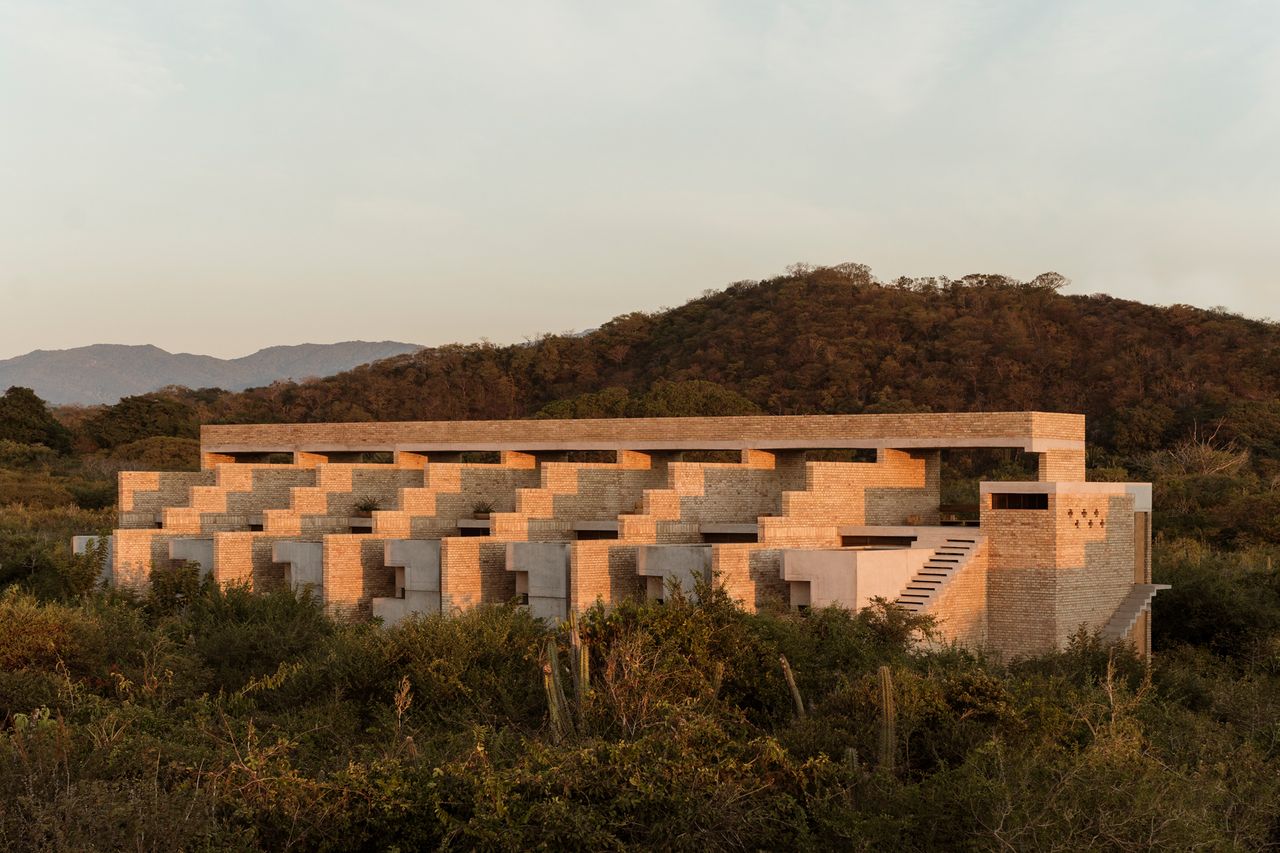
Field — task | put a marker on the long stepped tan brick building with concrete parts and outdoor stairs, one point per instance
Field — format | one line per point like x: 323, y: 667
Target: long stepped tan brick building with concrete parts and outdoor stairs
x: 391, y: 519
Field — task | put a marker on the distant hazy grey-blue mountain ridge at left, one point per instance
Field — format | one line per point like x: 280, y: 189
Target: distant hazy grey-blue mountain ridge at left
x: 103, y: 373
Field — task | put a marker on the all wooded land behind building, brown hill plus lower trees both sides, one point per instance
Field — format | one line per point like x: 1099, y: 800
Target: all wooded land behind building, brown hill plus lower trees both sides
x: 1181, y: 396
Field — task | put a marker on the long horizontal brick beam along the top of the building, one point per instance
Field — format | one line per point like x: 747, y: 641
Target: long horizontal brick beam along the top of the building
x: 1032, y: 432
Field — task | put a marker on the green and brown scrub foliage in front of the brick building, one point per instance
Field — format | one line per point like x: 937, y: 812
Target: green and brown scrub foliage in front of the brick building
x: 211, y: 719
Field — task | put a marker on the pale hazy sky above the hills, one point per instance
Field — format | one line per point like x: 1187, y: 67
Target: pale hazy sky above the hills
x: 222, y: 176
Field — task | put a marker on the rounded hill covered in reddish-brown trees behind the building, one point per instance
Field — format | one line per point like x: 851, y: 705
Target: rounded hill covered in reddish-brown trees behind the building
x: 834, y: 340
